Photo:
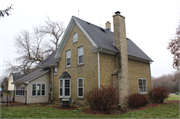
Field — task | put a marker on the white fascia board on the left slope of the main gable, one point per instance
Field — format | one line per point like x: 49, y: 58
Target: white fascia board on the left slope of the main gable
x: 65, y: 38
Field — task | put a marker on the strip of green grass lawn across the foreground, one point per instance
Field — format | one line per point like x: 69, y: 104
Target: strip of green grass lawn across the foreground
x: 161, y: 111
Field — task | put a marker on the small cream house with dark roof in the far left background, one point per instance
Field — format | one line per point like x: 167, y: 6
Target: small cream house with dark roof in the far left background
x: 13, y: 77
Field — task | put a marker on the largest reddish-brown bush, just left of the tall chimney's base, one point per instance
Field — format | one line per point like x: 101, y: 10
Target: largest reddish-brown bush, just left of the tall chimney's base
x: 103, y: 98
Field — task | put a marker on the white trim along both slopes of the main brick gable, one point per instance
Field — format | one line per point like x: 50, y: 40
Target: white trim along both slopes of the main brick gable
x: 71, y: 24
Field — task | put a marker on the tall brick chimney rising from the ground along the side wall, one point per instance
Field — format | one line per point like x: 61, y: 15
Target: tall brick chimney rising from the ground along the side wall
x: 122, y: 57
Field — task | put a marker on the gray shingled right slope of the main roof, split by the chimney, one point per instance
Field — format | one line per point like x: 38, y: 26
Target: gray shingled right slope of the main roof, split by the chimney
x: 105, y: 39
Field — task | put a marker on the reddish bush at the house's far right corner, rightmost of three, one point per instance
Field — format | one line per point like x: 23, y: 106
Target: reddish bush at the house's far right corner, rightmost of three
x: 158, y: 94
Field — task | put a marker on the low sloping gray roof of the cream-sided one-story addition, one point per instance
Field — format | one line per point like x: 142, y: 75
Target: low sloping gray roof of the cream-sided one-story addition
x: 31, y: 76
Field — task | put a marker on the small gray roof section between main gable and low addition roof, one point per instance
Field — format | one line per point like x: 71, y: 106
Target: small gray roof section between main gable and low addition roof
x: 50, y: 60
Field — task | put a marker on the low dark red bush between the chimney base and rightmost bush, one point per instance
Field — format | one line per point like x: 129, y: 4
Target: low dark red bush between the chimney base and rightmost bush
x: 137, y: 100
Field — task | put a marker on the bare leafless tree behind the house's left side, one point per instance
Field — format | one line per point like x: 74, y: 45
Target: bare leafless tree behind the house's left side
x: 34, y: 47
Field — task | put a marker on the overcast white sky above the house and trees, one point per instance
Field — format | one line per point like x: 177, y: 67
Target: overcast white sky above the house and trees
x: 149, y: 24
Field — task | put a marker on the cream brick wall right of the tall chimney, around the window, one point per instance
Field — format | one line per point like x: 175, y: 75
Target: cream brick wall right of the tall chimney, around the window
x: 138, y: 70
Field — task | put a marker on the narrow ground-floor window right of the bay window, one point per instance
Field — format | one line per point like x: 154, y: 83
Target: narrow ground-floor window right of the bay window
x: 80, y: 87
